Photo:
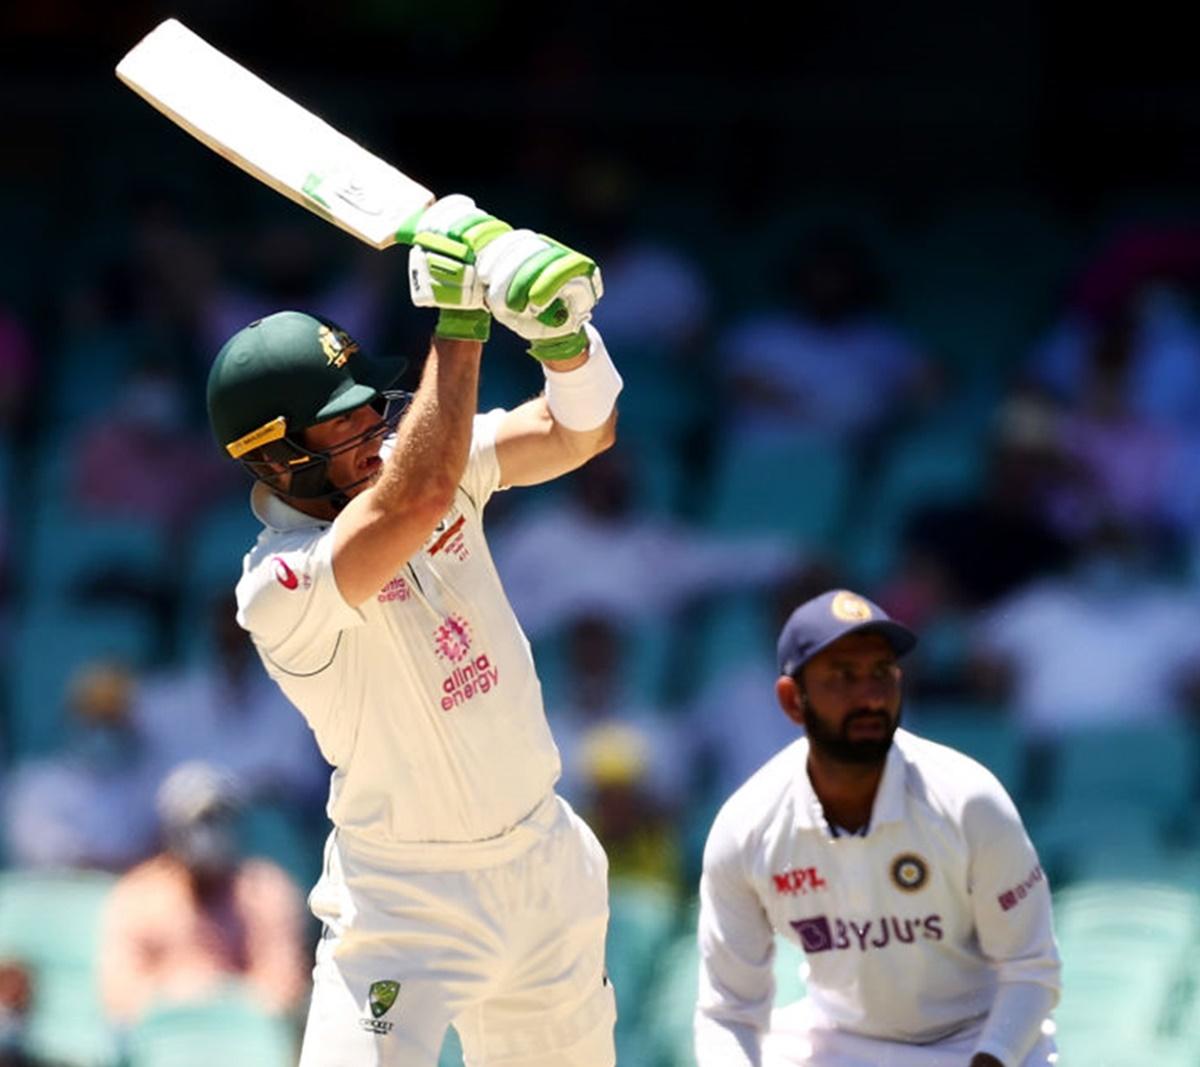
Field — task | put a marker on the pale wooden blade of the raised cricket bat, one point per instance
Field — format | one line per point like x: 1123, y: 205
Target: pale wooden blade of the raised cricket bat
x: 272, y: 137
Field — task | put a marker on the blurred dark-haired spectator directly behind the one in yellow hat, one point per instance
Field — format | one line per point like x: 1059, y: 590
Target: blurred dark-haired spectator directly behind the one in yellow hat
x: 599, y: 694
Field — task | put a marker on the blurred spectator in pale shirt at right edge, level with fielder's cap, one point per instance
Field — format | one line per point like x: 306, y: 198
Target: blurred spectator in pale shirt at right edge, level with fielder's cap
x: 1107, y: 643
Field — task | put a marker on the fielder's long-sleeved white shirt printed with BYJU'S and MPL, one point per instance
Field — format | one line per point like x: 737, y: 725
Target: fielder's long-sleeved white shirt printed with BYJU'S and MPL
x: 908, y: 931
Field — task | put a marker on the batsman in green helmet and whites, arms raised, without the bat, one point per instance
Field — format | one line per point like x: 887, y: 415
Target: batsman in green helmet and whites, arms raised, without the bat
x: 457, y: 886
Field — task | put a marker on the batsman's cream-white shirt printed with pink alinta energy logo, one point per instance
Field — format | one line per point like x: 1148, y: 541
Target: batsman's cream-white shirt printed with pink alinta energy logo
x: 424, y: 699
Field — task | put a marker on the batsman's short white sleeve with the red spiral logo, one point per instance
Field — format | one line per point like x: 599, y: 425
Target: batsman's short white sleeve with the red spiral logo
x: 290, y: 602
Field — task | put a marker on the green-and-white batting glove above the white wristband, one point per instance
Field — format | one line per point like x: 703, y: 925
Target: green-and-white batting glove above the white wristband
x: 542, y: 291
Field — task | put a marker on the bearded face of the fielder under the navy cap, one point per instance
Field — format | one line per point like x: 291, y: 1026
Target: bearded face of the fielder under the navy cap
x: 848, y: 699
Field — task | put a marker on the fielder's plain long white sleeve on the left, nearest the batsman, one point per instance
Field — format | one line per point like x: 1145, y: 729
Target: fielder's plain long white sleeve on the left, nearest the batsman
x: 737, y: 949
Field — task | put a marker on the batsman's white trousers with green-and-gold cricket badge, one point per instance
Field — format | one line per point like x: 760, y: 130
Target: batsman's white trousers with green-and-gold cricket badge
x: 508, y: 948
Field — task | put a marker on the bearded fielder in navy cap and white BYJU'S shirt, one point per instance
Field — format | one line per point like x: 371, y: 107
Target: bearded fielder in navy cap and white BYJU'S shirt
x: 901, y: 868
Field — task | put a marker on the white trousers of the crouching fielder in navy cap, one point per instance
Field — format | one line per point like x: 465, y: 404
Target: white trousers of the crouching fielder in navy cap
x: 797, y: 1040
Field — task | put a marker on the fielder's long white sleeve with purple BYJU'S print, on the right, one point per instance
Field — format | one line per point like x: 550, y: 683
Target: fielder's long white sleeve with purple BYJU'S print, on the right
x: 1011, y: 902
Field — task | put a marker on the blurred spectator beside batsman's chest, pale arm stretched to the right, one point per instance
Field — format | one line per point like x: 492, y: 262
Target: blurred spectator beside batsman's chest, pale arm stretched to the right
x: 640, y: 567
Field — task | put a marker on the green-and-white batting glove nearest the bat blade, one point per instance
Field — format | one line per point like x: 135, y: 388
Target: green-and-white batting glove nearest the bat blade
x: 447, y: 238
